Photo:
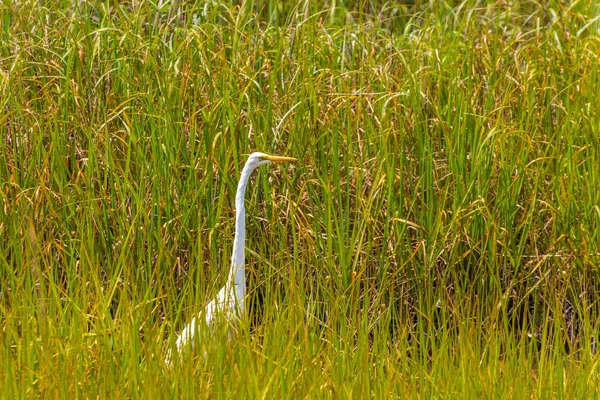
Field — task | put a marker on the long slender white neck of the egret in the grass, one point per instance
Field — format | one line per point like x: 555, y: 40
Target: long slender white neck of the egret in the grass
x: 237, y: 272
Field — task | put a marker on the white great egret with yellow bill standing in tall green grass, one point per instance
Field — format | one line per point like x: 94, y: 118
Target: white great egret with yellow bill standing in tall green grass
x: 229, y: 303
